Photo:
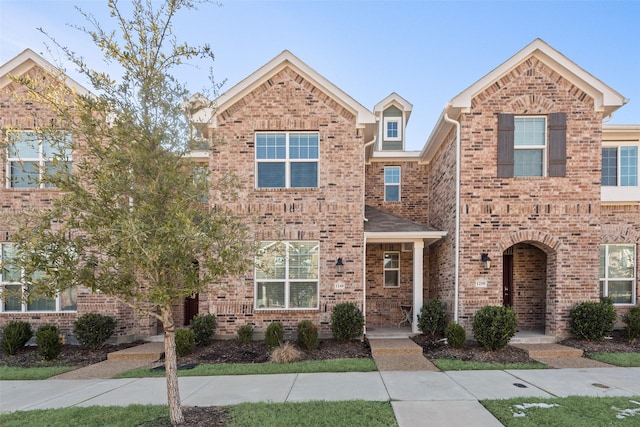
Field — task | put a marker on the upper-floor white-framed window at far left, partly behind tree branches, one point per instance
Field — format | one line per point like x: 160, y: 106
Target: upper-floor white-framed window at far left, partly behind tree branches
x: 31, y: 158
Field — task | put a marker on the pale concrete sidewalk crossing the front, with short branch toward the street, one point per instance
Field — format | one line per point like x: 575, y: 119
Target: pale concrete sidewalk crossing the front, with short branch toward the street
x: 445, y: 398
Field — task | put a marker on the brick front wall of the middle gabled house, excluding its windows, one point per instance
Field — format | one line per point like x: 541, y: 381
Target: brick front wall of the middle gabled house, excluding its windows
x: 331, y: 214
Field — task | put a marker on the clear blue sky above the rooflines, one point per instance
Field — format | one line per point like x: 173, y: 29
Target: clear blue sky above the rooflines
x: 426, y: 51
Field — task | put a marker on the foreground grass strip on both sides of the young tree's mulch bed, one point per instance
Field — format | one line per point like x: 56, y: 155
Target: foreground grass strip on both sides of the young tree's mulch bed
x: 350, y: 413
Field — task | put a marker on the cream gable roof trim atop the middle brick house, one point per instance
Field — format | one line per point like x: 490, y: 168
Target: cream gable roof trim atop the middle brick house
x: 287, y: 59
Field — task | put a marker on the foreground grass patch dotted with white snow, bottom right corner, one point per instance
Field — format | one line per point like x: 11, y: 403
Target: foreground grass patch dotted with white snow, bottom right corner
x: 566, y: 412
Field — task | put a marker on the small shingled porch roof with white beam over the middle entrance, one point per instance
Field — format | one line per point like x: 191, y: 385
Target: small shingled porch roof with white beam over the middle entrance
x: 382, y: 226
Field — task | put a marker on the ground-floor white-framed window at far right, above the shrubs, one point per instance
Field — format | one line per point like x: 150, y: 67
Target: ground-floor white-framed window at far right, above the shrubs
x: 618, y: 273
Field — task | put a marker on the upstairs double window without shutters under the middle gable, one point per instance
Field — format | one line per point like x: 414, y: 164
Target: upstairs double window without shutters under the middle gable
x: 287, y: 159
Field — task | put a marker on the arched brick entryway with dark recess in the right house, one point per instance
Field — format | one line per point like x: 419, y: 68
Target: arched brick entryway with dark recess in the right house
x: 525, y: 285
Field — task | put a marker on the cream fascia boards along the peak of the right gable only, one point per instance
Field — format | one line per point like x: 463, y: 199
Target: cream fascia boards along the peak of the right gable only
x: 606, y: 99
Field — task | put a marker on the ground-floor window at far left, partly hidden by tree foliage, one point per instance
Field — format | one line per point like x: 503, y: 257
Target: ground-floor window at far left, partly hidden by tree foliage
x: 14, y: 293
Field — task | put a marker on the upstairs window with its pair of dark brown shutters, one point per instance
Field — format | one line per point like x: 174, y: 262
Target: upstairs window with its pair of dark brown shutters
x: 532, y: 145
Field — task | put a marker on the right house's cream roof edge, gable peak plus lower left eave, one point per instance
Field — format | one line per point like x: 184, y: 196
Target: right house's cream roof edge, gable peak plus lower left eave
x: 605, y: 98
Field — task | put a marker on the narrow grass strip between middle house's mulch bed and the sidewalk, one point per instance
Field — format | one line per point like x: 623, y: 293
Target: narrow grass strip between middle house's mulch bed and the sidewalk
x: 308, y: 366
